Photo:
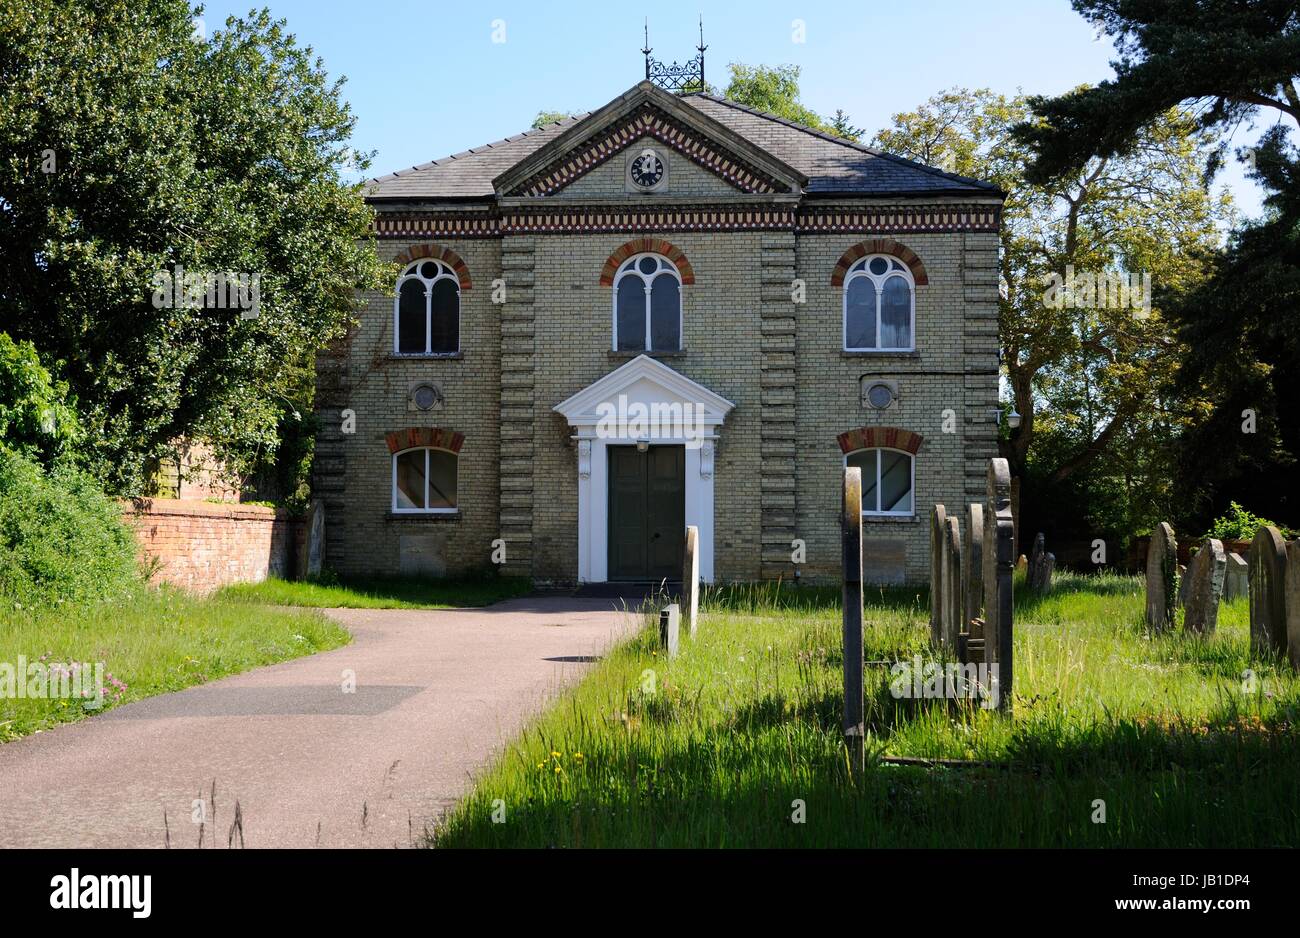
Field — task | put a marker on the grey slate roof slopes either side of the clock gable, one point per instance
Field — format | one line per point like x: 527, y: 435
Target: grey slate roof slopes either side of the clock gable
x: 833, y: 167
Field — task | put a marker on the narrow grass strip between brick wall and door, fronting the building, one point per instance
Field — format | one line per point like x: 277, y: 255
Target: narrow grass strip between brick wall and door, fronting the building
x: 382, y: 593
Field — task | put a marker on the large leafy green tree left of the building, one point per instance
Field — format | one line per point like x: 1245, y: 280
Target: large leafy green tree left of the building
x: 135, y: 146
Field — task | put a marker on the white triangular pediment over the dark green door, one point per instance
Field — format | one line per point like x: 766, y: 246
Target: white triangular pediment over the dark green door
x: 643, y: 381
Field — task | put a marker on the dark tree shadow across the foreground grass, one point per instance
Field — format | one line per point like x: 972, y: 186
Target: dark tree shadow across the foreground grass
x: 1162, y: 787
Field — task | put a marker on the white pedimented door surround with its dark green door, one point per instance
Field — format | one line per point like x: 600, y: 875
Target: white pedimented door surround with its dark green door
x: 644, y: 407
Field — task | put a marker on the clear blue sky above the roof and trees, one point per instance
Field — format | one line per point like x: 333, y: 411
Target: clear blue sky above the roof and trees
x: 427, y: 80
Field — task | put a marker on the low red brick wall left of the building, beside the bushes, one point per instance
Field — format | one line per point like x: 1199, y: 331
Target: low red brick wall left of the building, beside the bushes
x: 202, y: 546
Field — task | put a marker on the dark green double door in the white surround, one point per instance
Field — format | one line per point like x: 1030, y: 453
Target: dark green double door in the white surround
x: 648, y: 513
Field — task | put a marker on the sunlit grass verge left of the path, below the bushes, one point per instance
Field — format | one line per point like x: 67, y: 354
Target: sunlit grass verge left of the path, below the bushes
x: 154, y: 644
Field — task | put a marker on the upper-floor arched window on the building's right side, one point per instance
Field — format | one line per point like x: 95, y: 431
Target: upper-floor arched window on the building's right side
x: 879, y: 306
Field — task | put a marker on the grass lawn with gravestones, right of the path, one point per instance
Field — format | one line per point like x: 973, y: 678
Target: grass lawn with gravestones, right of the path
x: 721, y: 746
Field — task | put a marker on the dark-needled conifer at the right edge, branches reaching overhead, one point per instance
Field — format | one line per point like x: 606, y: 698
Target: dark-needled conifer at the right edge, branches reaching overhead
x: 1228, y: 62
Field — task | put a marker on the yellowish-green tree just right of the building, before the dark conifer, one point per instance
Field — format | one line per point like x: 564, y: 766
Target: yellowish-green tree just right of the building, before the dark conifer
x: 1091, y: 383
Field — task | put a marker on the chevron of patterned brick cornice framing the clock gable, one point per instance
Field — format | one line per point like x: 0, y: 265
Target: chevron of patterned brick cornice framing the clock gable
x: 649, y: 112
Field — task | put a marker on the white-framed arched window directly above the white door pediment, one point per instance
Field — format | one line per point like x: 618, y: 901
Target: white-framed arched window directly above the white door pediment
x: 648, y: 306
